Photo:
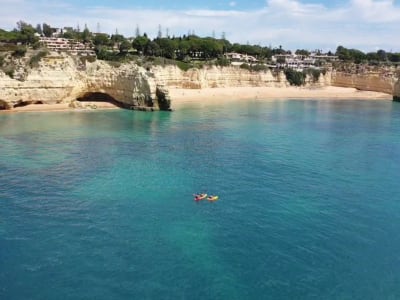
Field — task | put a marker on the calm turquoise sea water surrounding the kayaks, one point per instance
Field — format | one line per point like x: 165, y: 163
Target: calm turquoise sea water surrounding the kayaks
x: 98, y: 205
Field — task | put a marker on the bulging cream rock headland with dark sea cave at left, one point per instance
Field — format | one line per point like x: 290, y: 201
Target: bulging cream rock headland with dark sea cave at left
x: 61, y: 78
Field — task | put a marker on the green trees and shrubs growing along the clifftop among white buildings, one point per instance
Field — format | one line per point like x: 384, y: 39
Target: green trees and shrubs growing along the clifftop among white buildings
x: 185, y: 51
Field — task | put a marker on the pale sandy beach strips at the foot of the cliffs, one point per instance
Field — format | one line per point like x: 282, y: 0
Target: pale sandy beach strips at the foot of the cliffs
x: 209, y: 96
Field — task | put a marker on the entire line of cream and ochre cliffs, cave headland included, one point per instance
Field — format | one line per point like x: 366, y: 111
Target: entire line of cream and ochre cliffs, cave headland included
x: 62, y: 78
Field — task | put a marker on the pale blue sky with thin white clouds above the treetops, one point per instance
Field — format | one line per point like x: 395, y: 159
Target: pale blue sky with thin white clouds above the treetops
x: 367, y: 25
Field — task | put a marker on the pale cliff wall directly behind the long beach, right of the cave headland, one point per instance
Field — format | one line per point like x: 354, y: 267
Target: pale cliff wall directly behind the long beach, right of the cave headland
x: 378, y: 81
